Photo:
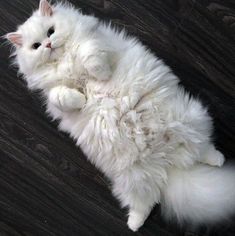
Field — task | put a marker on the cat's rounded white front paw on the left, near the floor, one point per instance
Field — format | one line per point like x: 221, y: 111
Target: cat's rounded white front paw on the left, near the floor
x: 66, y: 99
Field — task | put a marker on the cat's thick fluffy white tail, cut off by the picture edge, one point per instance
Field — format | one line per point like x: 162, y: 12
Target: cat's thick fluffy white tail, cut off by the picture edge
x: 202, y: 194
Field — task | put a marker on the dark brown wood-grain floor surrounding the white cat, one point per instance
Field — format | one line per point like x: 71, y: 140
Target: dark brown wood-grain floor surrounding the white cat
x: 47, y: 188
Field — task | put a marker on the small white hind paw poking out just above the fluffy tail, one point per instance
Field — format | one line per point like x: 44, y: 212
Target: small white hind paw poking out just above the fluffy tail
x: 211, y: 156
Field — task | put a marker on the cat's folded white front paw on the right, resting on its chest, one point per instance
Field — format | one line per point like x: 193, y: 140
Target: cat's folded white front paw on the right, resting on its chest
x: 95, y: 60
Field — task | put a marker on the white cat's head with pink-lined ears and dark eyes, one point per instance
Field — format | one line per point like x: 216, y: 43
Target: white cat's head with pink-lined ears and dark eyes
x: 42, y: 38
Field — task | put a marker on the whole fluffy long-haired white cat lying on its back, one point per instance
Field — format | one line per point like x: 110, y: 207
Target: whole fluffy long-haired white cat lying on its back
x: 126, y: 111
